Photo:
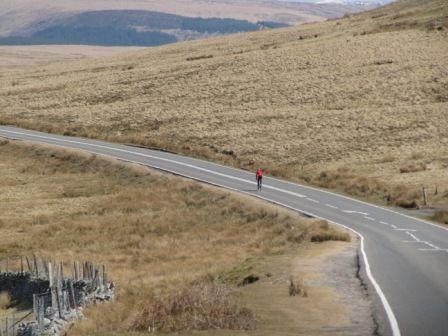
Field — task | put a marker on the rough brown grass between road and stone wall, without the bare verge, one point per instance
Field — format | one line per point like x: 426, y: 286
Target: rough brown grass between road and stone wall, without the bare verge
x: 164, y: 240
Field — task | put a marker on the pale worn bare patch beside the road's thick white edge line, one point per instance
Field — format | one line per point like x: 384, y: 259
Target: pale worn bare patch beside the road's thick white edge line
x: 327, y: 272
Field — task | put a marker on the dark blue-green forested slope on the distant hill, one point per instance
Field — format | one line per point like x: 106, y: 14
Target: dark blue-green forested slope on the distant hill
x: 129, y: 28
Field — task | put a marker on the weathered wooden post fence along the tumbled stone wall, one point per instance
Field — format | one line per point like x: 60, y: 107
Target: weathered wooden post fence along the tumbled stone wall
x: 51, y: 297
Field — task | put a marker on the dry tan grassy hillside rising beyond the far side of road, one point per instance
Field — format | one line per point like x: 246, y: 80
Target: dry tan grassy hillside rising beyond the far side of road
x: 357, y: 104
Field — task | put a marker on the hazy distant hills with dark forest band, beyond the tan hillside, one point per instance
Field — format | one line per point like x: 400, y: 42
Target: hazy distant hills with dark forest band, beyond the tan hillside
x: 148, y: 22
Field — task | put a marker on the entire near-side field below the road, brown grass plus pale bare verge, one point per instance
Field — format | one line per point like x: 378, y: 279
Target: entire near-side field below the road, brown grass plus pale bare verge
x: 159, y: 235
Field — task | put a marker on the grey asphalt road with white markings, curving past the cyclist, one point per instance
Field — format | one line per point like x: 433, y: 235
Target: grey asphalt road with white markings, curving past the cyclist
x: 404, y: 260
